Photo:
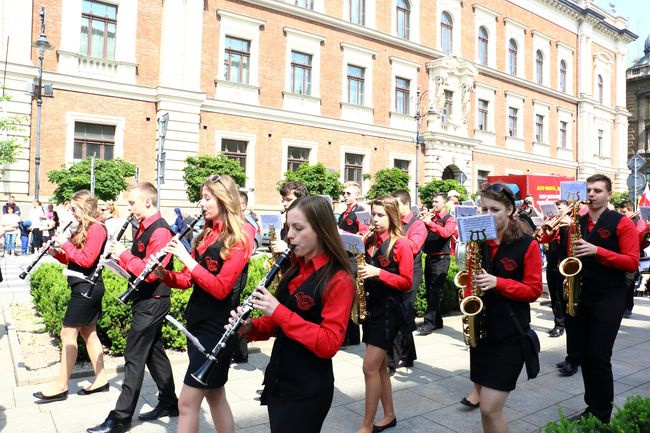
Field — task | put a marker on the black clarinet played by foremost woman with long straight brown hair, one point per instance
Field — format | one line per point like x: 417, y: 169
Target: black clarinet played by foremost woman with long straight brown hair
x: 203, y: 373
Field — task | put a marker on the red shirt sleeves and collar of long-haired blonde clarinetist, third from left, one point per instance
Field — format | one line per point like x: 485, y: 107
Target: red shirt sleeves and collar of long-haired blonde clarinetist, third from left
x: 220, y: 285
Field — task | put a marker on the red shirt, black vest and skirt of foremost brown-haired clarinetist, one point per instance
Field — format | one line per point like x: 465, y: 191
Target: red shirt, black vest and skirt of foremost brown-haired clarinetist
x: 309, y: 326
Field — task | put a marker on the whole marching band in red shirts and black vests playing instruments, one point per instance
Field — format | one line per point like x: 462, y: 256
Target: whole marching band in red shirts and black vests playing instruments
x: 592, y: 256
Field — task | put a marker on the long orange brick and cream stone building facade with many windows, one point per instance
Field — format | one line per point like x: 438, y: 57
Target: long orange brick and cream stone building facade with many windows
x: 440, y: 89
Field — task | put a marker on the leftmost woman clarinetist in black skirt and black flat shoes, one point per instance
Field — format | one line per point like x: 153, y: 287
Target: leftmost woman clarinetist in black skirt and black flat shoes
x: 81, y: 253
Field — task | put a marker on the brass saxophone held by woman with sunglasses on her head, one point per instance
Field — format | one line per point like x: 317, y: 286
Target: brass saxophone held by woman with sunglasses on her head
x: 471, y: 305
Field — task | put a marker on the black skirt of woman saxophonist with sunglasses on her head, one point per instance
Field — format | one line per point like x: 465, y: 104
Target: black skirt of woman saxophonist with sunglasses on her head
x: 496, y: 366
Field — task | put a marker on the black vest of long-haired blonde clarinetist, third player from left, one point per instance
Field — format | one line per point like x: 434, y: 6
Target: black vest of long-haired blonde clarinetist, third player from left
x: 202, y: 306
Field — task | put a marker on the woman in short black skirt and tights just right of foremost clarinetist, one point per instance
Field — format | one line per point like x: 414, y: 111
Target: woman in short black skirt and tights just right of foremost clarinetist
x: 387, y: 275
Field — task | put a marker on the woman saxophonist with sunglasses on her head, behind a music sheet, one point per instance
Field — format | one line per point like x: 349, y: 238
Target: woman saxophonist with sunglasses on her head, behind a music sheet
x: 511, y: 279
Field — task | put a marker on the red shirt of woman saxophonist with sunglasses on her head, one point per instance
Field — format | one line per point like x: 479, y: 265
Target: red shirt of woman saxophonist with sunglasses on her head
x: 530, y: 287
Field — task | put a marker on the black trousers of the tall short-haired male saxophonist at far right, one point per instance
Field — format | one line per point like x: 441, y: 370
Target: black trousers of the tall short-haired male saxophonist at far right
x: 598, y: 321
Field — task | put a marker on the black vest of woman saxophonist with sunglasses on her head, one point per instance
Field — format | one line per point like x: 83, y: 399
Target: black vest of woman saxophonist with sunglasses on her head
x: 508, y: 262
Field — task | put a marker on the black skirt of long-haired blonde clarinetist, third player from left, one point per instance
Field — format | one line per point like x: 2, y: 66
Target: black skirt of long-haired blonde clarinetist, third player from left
x: 208, y: 334
